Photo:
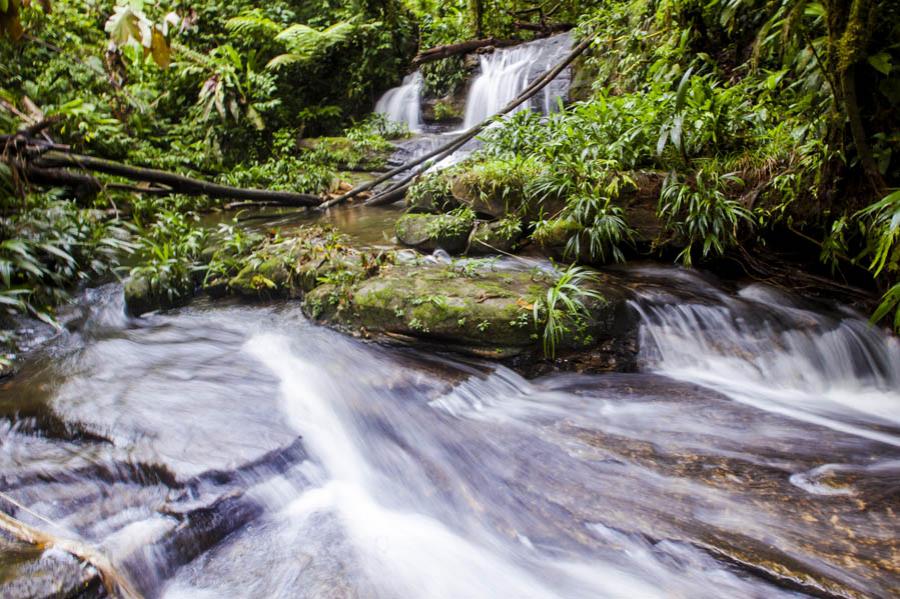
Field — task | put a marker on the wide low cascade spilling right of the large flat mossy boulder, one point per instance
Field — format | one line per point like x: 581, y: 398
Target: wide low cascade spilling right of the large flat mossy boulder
x: 758, y: 349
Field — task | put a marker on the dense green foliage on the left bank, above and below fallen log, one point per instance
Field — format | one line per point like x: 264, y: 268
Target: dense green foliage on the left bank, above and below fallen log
x: 215, y: 89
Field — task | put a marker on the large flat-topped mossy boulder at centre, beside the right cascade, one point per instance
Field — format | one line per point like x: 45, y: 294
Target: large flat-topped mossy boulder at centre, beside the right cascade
x: 469, y: 307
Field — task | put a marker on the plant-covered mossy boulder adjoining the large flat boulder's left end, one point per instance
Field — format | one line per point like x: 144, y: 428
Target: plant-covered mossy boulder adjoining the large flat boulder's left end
x: 294, y: 265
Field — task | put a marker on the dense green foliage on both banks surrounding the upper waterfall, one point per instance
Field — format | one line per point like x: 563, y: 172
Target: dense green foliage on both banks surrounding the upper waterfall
x: 735, y: 122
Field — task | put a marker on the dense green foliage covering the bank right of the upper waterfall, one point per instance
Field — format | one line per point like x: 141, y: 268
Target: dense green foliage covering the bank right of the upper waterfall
x: 747, y: 111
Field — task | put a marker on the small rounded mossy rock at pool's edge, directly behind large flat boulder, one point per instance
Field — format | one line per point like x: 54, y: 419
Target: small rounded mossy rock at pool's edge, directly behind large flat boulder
x: 428, y: 232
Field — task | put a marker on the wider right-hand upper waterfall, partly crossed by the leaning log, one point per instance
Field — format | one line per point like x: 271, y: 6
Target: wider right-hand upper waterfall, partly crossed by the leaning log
x: 506, y: 73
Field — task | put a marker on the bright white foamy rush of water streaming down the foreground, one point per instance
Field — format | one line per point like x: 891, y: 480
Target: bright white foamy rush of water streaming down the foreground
x: 404, y: 551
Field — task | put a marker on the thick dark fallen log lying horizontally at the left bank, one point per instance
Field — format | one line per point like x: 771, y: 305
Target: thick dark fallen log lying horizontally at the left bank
x: 46, y: 163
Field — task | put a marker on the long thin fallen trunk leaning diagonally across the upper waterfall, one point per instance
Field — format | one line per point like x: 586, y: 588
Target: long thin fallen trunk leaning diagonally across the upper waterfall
x: 427, y: 160
